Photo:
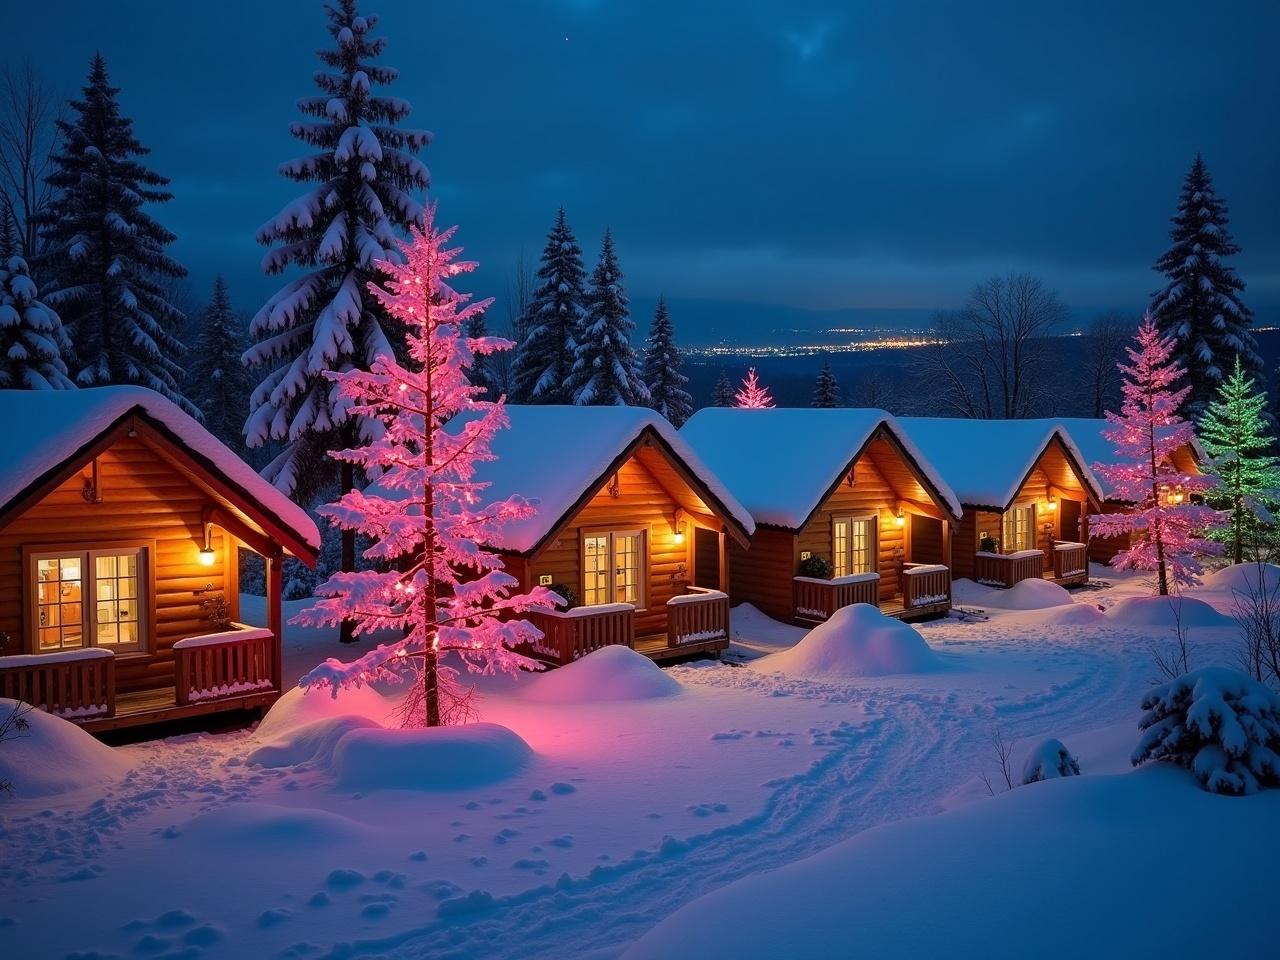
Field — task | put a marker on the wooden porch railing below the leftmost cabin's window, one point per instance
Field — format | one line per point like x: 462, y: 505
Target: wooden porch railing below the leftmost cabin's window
x: 76, y: 685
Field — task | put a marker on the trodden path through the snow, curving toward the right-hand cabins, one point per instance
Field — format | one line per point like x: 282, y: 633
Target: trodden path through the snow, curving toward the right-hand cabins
x: 875, y: 776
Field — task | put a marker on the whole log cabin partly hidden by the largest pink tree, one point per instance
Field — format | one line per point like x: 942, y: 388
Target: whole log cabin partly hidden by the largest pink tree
x: 630, y: 527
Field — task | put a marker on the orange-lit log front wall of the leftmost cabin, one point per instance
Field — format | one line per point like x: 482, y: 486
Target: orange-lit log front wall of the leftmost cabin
x: 143, y: 499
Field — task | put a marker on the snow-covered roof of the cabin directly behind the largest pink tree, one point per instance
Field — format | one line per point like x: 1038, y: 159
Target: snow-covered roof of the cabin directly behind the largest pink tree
x: 552, y: 454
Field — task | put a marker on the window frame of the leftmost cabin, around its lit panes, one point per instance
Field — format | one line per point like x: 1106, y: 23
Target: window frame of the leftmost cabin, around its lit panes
x: 88, y: 552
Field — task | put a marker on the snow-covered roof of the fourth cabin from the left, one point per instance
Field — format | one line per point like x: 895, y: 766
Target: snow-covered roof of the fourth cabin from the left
x: 986, y: 461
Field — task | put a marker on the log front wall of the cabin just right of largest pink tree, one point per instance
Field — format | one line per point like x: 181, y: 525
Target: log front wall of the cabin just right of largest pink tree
x: 641, y: 504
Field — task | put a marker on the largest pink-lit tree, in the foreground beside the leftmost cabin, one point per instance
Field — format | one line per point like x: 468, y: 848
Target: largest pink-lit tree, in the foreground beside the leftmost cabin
x: 435, y: 586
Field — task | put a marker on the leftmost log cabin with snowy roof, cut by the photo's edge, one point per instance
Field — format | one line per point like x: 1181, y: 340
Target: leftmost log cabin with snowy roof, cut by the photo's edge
x: 121, y: 520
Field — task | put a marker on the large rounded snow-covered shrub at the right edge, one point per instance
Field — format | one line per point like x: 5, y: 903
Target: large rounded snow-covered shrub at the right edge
x: 1218, y: 723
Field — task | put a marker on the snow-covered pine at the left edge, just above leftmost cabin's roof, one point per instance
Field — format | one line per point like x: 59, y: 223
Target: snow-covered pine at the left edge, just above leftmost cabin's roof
x: 33, y: 341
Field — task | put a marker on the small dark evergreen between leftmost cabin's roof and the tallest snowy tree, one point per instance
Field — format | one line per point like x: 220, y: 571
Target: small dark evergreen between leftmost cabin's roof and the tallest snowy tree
x: 220, y: 383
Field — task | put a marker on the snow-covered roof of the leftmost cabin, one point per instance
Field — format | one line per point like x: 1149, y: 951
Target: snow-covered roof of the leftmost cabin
x: 44, y: 429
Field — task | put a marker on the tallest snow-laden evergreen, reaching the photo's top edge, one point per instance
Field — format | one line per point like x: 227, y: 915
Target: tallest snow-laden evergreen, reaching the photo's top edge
x: 363, y: 175
